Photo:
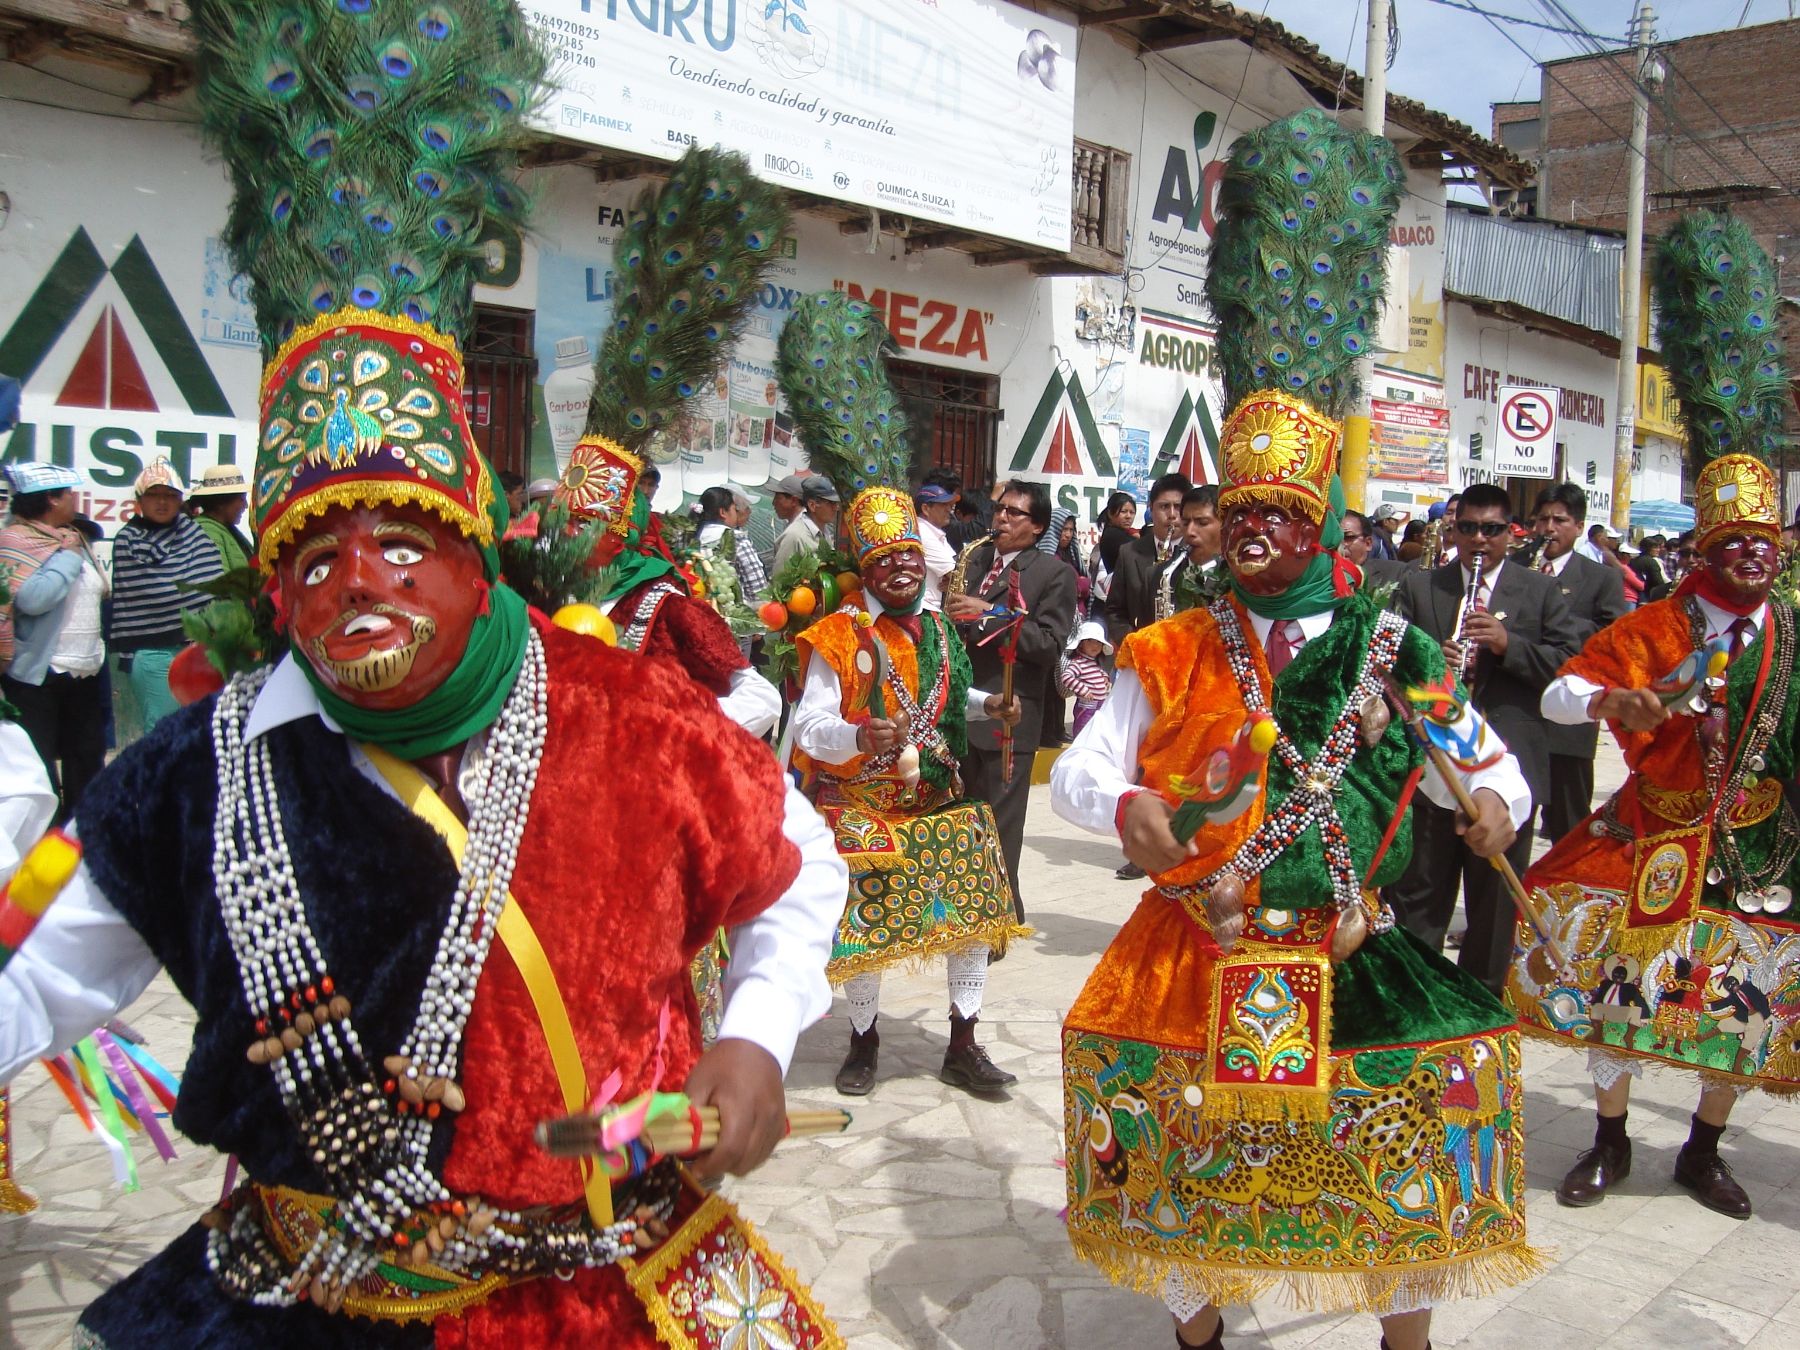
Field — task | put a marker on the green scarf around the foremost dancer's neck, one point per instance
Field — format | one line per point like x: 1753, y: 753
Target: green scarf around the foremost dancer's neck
x: 458, y: 708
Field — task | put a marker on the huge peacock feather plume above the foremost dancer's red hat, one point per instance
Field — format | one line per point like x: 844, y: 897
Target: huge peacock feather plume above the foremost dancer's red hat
x: 372, y: 147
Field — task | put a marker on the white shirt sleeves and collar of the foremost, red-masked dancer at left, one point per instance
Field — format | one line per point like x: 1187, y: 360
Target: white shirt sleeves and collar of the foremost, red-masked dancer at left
x: 87, y: 964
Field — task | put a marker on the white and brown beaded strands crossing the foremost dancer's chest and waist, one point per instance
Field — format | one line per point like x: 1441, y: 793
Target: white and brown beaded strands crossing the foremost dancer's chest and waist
x: 370, y: 1133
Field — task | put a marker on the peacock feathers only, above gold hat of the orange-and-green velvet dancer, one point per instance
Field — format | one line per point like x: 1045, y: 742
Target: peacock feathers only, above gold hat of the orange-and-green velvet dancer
x: 1299, y: 264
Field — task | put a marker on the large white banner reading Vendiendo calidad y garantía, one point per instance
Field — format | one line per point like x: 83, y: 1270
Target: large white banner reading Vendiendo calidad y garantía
x: 958, y: 111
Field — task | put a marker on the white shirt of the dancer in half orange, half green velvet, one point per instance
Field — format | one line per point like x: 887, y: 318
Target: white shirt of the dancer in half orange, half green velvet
x: 1102, y: 764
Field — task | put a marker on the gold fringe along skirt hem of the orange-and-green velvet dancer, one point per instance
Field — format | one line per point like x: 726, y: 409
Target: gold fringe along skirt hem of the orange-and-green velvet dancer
x: 1475, y: 1275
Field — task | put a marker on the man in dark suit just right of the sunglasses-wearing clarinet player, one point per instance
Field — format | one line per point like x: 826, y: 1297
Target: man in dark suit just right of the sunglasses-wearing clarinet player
x: 1596, y: 597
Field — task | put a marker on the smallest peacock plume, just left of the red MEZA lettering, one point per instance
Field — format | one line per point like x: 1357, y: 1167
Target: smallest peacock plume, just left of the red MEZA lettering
x: 834, y: 377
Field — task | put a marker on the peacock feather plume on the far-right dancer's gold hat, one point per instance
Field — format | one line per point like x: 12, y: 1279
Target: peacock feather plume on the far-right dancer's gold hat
x: 1716, y: 301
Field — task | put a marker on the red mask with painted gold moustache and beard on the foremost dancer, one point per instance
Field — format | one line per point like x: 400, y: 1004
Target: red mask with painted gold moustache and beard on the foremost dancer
x: 382, y: 600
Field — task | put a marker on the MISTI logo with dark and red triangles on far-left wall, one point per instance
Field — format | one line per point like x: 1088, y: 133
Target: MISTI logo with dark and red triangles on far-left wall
x: 112, y: 373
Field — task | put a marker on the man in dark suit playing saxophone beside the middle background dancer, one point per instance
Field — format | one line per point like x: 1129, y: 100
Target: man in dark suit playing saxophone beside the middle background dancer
x: 1047, y: 589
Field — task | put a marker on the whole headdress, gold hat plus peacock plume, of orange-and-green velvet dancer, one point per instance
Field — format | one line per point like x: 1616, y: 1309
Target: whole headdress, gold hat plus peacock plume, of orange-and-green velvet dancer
x: 1297, y: 280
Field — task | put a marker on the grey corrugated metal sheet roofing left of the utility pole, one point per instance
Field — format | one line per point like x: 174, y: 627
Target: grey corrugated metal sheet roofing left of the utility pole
x: 1558, y: 271
